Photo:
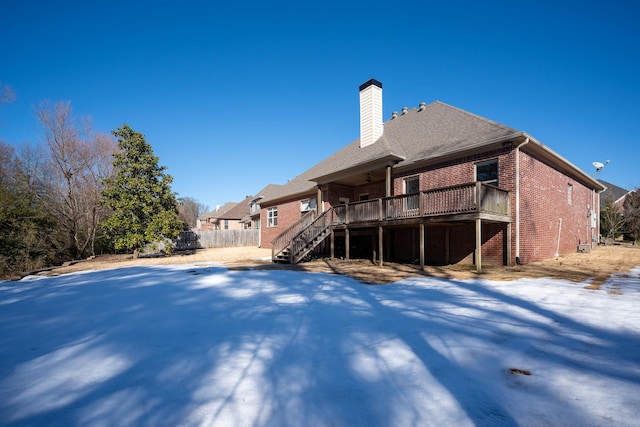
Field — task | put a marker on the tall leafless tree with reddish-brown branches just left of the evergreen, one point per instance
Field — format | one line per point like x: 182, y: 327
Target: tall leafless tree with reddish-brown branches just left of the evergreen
x: 78, y: 162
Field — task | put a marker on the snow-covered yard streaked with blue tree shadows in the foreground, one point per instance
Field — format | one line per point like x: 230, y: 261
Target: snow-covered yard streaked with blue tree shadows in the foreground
x: 188, y: 345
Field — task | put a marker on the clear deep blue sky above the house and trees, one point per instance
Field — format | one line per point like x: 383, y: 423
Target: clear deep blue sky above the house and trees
x: 235, y: 95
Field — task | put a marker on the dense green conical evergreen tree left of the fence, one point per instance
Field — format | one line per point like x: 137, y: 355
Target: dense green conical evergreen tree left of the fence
x: 144, y: 208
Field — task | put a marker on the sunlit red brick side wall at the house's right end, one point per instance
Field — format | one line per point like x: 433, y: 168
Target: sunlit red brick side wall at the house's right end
x: 543, y: 202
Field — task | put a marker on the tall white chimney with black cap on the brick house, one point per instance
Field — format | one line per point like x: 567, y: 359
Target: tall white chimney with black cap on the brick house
x: 370, y: 112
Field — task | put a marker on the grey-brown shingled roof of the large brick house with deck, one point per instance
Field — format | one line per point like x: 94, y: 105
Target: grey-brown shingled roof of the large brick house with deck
x: 429, y: 132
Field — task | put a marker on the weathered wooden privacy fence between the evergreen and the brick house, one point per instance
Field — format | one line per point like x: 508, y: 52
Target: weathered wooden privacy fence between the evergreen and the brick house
x: 204, y: 239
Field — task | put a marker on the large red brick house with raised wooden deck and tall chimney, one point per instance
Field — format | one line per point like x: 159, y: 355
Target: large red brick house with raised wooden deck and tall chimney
x: 433, y: 184
